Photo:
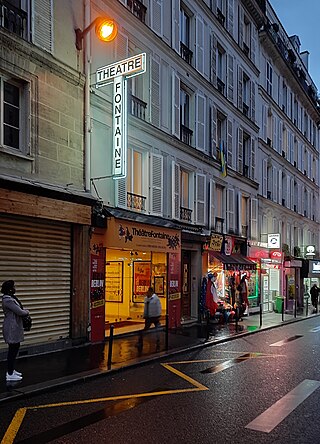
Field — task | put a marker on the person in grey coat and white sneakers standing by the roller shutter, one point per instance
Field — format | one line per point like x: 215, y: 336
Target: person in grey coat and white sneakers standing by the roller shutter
x: 12, y: 328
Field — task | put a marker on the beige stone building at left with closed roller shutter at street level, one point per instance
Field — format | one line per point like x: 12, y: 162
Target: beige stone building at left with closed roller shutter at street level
x: 45, y: 212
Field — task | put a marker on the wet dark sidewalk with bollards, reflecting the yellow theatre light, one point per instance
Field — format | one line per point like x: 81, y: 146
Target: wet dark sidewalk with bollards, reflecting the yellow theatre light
x: 48, y: 370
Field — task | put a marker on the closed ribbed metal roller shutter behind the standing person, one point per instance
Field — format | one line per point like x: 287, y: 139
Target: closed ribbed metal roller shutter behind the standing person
x: 36, y: 254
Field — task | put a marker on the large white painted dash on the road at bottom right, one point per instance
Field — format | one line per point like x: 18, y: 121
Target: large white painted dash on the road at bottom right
x: 269, y: 419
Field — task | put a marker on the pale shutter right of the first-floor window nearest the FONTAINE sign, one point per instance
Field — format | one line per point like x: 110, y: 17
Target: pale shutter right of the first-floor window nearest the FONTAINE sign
x: 156, y: 184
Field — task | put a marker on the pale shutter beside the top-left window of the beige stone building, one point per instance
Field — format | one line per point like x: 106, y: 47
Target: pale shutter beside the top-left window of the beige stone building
x: 42, y: 24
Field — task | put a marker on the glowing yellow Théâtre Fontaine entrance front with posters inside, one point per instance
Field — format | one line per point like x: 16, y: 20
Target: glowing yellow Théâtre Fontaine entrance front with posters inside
x: 137, y: 256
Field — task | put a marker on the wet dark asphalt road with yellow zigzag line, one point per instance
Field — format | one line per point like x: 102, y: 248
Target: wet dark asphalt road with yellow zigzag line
x: 206, y: 396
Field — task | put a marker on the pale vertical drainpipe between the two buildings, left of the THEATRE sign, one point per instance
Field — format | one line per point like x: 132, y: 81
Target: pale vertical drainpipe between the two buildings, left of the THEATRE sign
x: 87, y: 114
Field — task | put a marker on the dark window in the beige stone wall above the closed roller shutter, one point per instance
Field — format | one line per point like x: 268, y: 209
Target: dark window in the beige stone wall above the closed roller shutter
x: 13, y: 115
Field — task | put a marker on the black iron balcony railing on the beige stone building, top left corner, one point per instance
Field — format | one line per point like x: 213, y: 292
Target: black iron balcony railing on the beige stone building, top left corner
x: 13, y: 19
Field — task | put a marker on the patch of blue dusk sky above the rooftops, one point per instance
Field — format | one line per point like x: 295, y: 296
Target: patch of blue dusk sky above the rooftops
x: 302, y: 17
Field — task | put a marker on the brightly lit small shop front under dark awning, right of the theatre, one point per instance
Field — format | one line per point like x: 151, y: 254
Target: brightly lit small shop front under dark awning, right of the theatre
x: 224, y: 258
